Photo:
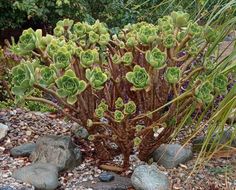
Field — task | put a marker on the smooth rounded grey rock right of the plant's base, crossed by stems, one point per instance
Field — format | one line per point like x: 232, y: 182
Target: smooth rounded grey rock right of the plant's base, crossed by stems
x: 171, y: 155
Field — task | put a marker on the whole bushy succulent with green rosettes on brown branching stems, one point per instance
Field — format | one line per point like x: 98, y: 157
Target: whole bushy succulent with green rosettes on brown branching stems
x: 123, y: 88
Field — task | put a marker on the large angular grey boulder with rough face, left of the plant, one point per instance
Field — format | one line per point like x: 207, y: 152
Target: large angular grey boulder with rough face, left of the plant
x: 57, y: 150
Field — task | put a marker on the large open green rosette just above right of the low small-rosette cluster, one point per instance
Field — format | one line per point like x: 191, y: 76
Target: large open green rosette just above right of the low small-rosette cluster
x: 138, y: 77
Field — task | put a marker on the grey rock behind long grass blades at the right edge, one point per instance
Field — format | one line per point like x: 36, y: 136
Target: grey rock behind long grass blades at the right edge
x: 220, y: 137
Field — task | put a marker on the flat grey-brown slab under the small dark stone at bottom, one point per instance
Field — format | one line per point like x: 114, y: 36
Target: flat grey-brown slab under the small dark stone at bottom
x: 119, y: 183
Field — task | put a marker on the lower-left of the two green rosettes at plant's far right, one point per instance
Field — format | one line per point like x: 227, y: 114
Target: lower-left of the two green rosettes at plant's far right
x: 203, y: 92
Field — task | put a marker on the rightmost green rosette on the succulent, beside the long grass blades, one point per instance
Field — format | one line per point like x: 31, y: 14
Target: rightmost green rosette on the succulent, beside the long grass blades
x: 220, y: 83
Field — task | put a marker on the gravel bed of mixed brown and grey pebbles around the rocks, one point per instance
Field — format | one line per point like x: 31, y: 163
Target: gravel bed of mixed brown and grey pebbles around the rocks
x: 27, y: 126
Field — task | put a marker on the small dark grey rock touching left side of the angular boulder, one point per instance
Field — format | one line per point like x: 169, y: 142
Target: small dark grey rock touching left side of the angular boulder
x: 23, y: 150
